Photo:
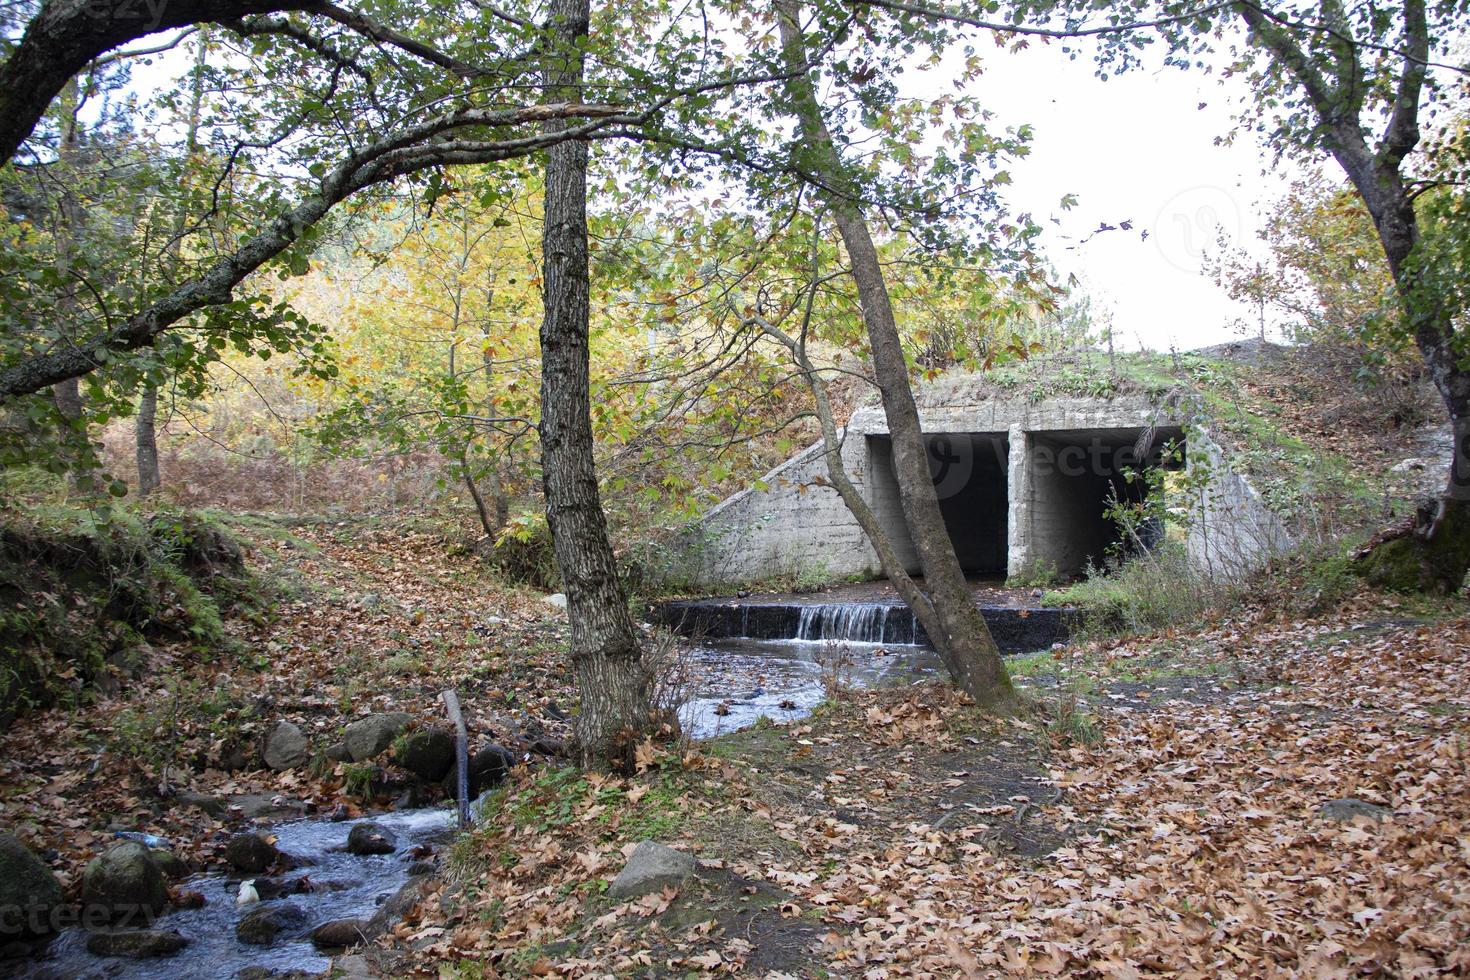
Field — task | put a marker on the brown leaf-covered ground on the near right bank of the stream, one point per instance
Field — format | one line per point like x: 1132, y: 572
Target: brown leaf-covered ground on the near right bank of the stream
x: 899, y: 834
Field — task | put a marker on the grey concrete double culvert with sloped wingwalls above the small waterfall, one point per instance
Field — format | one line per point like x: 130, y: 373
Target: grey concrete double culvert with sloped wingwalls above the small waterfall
x: 1024, y: 486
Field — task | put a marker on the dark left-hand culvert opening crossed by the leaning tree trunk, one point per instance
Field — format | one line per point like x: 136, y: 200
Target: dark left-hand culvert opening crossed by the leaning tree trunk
x: 971, y: 477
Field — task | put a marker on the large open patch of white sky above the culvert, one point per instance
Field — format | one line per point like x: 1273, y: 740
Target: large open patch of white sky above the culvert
x: 1136, y: 148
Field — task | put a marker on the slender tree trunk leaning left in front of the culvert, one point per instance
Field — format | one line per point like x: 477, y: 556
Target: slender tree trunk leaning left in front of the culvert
x: 964, y: 640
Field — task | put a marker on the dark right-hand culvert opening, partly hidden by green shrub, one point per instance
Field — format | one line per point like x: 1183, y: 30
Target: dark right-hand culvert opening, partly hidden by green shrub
x: 1077, y: 478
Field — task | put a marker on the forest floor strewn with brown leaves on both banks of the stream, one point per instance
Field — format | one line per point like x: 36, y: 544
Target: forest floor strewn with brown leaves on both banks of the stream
x: 1165, y: 804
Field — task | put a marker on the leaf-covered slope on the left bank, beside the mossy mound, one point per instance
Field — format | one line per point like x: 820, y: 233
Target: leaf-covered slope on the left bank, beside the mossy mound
x: 367, y: 619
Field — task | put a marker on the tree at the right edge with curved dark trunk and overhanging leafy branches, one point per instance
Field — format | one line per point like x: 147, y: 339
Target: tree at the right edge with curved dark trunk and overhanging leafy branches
x: 1359, y: 84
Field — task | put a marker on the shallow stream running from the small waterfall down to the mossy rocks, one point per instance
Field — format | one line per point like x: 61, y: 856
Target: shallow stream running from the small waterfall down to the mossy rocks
x: 734, y: 682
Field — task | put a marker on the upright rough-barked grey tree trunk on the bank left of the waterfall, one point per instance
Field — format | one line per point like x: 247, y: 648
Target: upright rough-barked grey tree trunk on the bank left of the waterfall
x: 615, y: 696
